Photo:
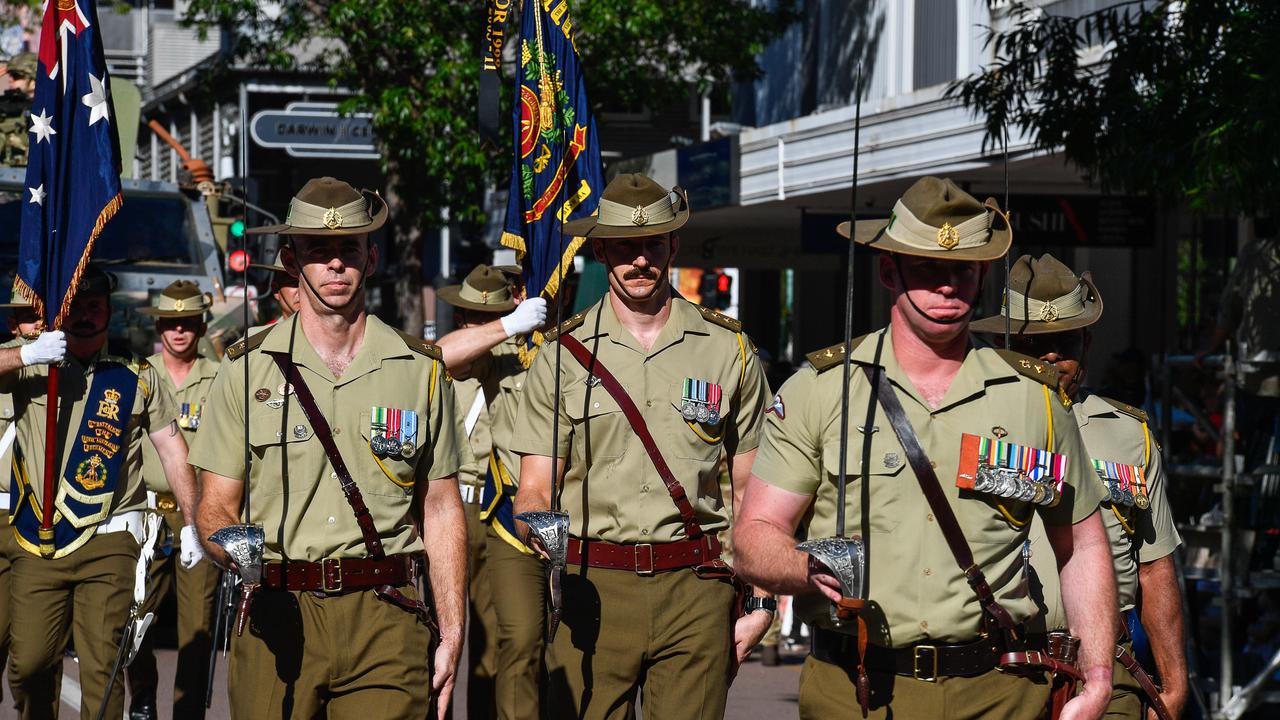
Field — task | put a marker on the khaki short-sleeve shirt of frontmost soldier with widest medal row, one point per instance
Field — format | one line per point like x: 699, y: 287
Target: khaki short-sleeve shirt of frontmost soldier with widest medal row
x: 917, y: 591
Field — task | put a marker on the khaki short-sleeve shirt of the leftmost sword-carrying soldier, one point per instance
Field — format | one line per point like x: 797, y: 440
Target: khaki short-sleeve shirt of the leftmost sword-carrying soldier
x: 295, y: 493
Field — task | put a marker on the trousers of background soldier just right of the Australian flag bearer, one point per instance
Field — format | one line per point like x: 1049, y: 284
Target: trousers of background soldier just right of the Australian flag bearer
x: 196, y: 590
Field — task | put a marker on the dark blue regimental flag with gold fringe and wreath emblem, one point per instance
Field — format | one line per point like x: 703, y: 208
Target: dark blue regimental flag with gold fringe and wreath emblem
x: 556, y: 175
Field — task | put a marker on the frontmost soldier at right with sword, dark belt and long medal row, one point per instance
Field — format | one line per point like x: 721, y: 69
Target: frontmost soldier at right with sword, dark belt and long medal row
x: 932, y: 650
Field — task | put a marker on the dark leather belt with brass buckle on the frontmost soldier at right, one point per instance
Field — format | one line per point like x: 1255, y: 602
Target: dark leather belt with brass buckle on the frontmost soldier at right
x: 921, y: 662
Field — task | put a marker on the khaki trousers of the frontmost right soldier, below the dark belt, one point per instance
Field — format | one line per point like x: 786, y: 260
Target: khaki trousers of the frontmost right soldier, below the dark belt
x: 828, y: 691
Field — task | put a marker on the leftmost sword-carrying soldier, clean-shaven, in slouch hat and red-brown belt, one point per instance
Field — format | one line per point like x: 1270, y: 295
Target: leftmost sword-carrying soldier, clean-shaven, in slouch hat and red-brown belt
x: 337, y: 627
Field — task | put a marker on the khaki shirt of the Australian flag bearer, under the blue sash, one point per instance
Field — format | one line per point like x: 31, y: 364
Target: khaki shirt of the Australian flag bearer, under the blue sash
x: 153, y: 411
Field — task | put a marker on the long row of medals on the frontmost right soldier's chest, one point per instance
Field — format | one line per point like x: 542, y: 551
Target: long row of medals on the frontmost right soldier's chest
x: 1011, y: 471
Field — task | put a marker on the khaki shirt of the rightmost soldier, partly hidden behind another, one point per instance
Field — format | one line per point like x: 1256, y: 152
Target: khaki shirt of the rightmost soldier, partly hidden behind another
x: 1137, y: 535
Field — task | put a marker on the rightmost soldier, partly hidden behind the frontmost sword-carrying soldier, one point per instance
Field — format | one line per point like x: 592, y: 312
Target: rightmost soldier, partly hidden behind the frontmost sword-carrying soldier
x: 1050, y: 312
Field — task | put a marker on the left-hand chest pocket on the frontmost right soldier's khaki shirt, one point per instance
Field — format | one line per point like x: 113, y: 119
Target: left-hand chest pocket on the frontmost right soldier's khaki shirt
x: 885, y: 479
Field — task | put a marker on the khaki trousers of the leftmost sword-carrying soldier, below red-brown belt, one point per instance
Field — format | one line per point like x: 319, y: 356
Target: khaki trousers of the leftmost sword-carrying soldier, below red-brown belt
x: 342, y: 657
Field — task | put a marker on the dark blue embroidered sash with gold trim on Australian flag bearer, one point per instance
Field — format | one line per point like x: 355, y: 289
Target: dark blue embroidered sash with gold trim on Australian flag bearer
x: 93, y: 472
